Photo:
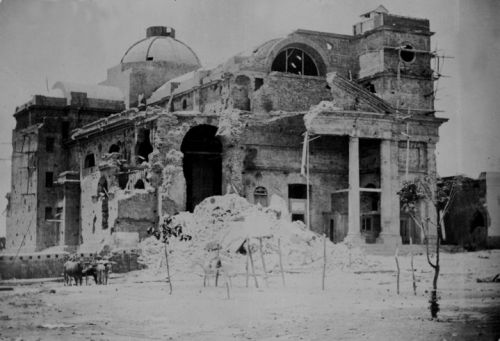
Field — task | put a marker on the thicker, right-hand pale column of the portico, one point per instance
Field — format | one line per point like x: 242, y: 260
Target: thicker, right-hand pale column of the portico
x: 389, y: 204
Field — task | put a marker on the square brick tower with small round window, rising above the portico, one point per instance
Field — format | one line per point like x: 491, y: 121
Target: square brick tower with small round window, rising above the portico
x: 394, y: 60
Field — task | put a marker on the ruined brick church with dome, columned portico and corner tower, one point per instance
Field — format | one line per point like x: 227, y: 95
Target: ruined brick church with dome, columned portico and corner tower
x: 96, y: 163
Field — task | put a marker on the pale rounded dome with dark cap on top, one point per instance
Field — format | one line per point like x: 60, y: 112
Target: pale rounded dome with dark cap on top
x: 160, y: 45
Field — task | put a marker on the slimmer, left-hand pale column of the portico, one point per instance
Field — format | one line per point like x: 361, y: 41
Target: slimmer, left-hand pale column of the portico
x: 354, y: 231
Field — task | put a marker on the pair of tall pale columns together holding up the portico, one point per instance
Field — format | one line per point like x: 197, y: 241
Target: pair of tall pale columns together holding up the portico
x: 389, y: 181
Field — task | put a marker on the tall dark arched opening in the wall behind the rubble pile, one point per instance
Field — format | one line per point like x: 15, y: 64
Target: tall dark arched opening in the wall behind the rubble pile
x: 202, y: 164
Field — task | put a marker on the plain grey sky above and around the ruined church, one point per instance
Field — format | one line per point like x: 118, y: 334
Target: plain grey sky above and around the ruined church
x: 43, y: 41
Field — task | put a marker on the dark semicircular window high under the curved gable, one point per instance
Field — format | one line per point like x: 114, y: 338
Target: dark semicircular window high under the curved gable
x: 295, y: 60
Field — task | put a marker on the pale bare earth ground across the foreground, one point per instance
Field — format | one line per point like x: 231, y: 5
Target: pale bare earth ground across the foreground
x: 354, y: 306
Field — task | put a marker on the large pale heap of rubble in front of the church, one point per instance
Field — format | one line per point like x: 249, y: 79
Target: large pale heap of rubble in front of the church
x: 220, y: 225
